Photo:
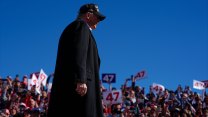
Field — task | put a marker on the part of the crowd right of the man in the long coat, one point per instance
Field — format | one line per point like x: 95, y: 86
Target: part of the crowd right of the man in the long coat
x: 179, y: 102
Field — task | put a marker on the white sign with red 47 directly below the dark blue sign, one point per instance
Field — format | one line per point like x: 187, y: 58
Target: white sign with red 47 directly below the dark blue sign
x: 112, y: 97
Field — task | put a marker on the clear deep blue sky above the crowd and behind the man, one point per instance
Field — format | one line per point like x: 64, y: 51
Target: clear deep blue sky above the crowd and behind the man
x: 166, y: 38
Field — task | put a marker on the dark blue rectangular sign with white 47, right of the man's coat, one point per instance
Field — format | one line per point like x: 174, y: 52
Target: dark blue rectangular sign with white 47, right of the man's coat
x: 109, y: 78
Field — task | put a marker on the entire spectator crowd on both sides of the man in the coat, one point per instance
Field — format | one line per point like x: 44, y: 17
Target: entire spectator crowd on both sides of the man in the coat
x: 17, y: 101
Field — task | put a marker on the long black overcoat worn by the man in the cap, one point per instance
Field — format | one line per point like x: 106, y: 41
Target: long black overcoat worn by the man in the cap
x: 77, y: 61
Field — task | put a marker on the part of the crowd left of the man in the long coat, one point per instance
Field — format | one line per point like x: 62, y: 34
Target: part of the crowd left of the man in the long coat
x: 17, y: 101
